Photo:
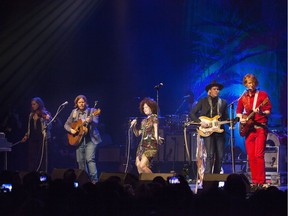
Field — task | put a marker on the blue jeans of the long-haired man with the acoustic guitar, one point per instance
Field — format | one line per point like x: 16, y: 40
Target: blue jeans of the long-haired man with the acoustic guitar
x: 85, y: 155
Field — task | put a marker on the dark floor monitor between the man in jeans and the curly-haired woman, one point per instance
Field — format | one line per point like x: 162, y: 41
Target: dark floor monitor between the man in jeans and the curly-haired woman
x: 125, y: 178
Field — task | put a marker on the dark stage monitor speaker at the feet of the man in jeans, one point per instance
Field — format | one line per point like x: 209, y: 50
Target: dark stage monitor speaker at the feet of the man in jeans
x: 81, y: 175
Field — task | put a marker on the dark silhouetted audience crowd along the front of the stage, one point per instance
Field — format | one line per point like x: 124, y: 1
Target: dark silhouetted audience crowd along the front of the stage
x: 109, y: 197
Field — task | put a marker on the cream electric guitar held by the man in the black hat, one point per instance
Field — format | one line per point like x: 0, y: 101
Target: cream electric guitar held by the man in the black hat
x: 213, y: 125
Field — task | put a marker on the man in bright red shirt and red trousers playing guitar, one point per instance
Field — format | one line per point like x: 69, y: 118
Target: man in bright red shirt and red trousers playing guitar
x: 258, y: 102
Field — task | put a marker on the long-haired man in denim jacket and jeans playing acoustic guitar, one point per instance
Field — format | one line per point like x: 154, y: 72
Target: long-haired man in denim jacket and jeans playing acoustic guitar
x: 86, y: 149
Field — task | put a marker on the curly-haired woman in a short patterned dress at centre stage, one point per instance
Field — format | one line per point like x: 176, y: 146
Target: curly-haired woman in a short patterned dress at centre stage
x: 148, y: 147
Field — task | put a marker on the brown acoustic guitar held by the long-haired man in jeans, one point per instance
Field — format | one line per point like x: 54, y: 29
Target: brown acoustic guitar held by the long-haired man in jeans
x: 75, y: 139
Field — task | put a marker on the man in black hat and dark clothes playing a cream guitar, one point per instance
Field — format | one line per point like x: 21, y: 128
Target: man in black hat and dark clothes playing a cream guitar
x: 209, y: 107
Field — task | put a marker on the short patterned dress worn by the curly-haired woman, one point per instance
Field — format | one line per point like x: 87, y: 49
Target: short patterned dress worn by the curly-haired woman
x: 148, y: 143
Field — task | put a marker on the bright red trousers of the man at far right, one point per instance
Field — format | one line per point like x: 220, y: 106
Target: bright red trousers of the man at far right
x: 255, y: 147
